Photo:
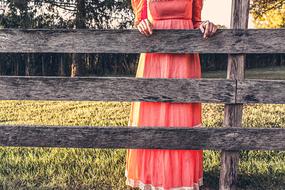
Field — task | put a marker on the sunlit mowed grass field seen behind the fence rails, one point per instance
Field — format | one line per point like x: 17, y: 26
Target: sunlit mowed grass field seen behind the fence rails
x: 61, y: 168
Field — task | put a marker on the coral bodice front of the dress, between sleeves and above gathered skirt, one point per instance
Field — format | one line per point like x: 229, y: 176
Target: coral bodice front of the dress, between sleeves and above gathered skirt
x: 170, y: 9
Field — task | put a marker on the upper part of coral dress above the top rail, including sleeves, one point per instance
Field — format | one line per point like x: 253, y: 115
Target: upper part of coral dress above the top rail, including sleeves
x: 169, y: 14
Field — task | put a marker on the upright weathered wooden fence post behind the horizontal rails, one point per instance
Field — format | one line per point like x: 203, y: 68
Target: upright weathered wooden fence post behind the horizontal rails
x: 233, y: 112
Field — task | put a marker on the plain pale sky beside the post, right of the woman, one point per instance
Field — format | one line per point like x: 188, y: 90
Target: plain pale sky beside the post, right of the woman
x: 219, y: 12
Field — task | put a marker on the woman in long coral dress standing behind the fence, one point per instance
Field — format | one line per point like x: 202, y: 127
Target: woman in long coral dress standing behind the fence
x: 167, y: 169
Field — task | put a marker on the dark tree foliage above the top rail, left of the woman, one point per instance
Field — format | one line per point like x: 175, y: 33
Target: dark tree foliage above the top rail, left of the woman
x: 62, y: 13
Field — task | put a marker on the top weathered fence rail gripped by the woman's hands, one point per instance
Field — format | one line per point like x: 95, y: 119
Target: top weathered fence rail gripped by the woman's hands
x: 130, y: 41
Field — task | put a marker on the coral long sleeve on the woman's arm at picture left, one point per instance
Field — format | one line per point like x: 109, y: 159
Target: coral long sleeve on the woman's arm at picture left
x: 140, y: 10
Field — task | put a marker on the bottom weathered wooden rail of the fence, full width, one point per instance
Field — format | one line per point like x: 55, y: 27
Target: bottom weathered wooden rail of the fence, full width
x: 144, y: 137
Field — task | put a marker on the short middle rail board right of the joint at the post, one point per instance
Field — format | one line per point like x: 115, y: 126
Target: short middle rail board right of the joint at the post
x: 261, y: 91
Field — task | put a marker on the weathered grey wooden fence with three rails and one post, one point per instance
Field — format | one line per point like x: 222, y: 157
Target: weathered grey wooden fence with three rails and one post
x: 233, y: 91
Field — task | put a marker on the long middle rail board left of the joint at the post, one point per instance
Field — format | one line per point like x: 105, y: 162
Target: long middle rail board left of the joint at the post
x: 117, y: 89
